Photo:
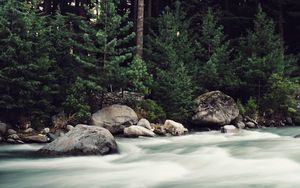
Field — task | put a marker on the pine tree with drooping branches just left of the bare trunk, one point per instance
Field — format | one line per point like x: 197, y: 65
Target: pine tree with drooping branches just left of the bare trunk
x: 113, y: 37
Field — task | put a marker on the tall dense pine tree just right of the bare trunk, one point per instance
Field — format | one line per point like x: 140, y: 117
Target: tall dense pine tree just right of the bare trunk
x: 173, y: 86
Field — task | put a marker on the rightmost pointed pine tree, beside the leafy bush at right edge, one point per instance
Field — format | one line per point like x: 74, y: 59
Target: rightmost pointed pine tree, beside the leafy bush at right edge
x: 261, y: 55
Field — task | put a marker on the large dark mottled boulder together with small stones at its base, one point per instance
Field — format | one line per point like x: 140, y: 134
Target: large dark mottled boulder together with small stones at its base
x: 219, y: 111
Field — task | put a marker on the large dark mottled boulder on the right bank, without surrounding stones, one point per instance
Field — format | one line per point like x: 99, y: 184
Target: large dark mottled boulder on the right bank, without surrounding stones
x: 215, y: 108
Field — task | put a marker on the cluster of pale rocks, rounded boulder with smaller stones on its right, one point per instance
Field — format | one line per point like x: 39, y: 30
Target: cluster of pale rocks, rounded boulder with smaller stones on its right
x: 122, y: 120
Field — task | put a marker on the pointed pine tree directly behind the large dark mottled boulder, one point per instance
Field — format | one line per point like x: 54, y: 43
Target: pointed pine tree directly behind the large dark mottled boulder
x: 214, y: 69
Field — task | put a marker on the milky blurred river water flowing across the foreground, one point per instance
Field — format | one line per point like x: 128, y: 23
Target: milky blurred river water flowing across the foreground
x: 263, y: 158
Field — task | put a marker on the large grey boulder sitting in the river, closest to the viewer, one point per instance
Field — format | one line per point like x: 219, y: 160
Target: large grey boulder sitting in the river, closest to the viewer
x: 83, y: 140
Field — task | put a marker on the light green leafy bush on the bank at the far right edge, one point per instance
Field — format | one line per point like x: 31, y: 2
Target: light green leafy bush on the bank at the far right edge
x: 280, y: 95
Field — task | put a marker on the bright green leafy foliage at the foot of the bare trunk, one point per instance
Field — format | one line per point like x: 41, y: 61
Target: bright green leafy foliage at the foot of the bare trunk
x: 138, y: 76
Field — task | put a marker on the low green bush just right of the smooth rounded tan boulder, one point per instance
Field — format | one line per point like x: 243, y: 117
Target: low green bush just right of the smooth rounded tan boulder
x: 150, y: 110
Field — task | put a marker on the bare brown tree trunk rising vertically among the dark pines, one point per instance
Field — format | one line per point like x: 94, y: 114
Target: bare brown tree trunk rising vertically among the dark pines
x: 140, y: 28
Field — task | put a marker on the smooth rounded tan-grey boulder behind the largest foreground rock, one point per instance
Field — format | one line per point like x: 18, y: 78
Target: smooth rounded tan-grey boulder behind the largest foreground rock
x: 115, y: 118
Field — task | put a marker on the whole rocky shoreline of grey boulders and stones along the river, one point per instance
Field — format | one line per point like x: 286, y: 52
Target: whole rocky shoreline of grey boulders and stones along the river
x: 215, y: 110
